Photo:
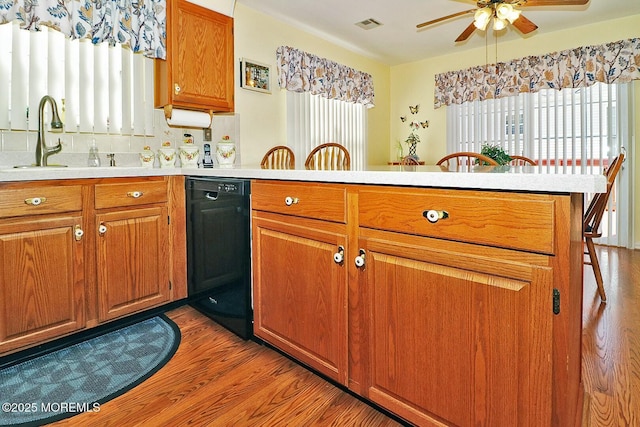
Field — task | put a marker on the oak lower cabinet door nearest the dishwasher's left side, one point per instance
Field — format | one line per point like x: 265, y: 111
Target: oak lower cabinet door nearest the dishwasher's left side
x: 132, y: 261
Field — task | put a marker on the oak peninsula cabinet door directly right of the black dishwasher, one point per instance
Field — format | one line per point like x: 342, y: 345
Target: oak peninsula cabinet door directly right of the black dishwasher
x: 300, y: 291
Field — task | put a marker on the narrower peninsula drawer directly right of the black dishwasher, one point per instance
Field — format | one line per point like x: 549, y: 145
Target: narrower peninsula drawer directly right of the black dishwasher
x: 319, y: 201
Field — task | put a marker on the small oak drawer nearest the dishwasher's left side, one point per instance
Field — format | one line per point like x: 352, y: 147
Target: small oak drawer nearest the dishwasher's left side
x: 130, y: 194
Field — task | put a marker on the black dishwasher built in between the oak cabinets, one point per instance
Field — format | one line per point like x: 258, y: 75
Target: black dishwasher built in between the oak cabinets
x: 219, y: 251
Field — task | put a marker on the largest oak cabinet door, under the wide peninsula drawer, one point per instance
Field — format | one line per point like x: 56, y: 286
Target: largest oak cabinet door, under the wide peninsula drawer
x: 457, y: 332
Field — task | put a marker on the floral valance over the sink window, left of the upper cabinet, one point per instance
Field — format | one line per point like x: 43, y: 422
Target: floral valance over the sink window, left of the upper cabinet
x: 140, y: 25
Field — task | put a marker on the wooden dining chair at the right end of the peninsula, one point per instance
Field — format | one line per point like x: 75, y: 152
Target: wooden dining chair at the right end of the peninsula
x: 592, y: 218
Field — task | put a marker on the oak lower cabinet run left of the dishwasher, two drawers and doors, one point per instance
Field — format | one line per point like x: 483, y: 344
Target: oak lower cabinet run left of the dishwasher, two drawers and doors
x: 77, y: 253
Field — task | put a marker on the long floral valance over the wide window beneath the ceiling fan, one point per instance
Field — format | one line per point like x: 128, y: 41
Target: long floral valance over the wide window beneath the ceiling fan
x: 616, y: 62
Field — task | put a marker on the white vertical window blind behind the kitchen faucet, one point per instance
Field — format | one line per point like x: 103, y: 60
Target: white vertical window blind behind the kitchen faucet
x: 99, y: 88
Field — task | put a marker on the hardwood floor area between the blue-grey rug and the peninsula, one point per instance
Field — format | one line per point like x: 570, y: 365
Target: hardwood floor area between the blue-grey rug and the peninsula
x: 217, y: 379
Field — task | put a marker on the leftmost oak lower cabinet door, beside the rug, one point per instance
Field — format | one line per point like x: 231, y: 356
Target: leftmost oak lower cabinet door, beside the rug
x: 41, y: 280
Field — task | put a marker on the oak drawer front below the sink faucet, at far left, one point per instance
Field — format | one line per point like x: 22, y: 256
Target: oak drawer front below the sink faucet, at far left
x: 40, y: 200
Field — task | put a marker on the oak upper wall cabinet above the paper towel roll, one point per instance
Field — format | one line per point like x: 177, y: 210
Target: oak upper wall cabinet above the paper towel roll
x: 198, y: 72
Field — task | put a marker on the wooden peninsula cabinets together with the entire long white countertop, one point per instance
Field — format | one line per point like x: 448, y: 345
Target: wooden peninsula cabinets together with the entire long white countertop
x: 447, y: 298
